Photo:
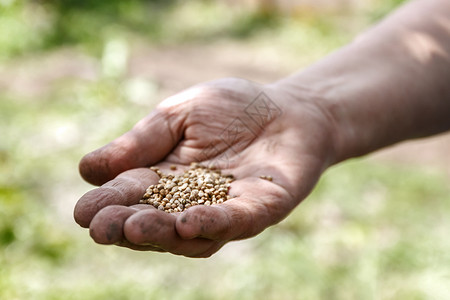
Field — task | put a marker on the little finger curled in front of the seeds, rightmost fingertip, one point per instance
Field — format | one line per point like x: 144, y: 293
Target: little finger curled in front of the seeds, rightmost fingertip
x: 259, y: 204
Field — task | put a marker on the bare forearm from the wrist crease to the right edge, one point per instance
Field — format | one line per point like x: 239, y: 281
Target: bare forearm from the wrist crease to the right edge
x: 391, y: 84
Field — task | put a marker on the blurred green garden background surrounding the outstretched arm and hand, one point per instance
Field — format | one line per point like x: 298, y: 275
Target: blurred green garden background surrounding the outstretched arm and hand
x: 75, y: 74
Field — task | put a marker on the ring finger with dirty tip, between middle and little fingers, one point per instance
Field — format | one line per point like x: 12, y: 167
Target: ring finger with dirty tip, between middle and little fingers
x: 156, y: 228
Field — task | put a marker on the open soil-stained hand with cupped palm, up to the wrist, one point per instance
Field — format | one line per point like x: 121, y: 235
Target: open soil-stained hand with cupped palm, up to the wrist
x: 230, y: 124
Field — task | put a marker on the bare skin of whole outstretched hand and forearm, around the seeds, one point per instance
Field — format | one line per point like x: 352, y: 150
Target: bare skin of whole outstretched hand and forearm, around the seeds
x: 372, y: 93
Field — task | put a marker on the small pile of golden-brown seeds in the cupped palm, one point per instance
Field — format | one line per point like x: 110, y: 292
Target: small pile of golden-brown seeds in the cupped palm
x: 199, y: 185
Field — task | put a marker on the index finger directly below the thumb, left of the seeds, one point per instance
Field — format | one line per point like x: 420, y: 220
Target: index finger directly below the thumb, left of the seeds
x: 126, y: 189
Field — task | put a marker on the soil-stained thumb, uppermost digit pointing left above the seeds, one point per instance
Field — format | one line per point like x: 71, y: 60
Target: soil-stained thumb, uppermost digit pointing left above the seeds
x: 148, y: 142
